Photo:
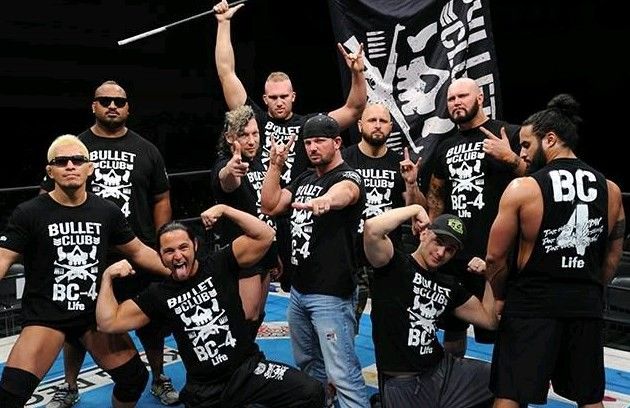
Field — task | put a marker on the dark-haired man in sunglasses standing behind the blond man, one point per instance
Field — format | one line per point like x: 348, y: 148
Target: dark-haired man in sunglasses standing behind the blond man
x: 129, y: 171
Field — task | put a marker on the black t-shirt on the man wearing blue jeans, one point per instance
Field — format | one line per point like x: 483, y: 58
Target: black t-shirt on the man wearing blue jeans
x: 323, y: 247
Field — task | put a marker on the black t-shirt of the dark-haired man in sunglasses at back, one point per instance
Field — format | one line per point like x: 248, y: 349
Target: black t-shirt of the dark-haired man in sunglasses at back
x: 128, y: 171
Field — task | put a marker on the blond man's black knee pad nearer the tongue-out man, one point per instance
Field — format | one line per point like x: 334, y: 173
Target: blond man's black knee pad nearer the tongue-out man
x: 129, y: 380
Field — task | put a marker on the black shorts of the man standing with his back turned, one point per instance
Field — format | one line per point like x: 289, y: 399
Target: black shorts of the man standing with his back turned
x: 531, y: 352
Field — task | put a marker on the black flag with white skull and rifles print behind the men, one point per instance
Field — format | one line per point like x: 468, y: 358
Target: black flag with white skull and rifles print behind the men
x: 413, y: 49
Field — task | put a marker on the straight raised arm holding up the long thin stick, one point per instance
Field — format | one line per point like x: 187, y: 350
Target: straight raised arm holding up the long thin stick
x: 233, y: 89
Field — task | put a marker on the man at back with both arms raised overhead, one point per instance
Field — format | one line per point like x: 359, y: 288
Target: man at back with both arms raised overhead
x: 278, y: 123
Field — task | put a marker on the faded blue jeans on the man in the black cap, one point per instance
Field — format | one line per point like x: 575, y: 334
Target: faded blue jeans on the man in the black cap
x: 322, y: 337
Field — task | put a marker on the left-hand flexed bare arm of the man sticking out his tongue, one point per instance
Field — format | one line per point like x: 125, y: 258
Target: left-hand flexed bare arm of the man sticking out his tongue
x: 112, y: 317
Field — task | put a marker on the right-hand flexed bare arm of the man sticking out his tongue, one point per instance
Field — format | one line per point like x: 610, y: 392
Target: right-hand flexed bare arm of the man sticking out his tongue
x: 257, y: 236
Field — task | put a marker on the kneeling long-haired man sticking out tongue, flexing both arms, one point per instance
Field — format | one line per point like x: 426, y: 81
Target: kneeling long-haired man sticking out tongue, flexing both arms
x: 201, y: 302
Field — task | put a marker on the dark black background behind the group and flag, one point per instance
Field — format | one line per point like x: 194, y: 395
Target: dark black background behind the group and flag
x: 55, y: 52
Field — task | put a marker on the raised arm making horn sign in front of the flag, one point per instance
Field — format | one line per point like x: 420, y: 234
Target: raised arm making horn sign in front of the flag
x: 350, y: 112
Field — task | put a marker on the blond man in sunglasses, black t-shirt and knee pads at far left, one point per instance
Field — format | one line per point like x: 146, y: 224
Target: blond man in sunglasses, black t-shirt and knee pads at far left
x: 63, y: 237
